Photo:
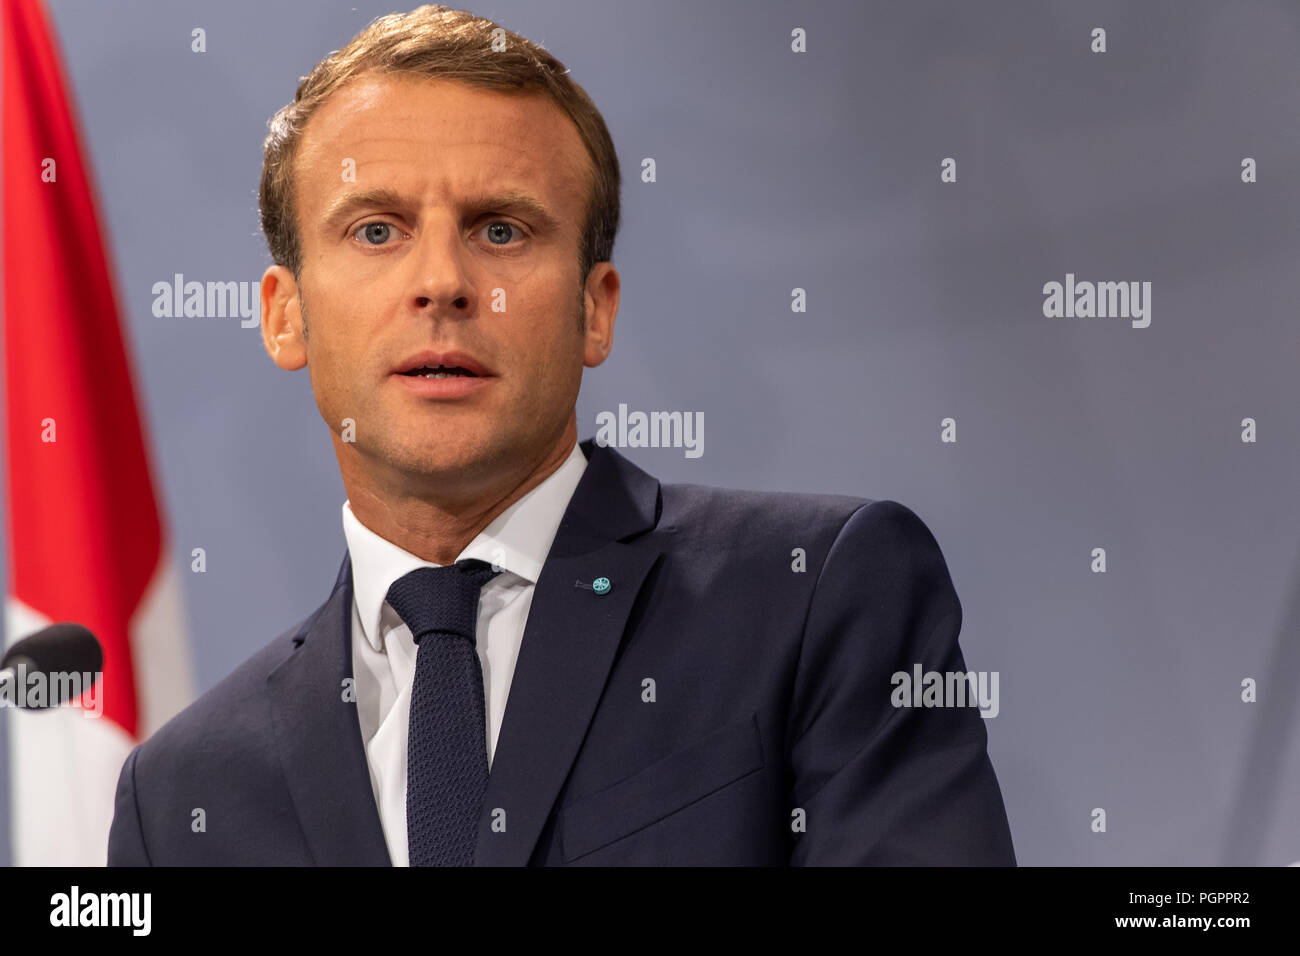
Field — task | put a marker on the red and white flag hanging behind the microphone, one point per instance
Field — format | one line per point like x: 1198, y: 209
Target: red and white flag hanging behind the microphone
x: 84, y: 527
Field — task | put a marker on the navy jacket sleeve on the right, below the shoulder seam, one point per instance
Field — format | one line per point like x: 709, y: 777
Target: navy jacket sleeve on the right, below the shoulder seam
x: 882, y: 784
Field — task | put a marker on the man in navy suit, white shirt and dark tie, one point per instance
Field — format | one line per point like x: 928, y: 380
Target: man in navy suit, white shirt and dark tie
x: 536, y: 654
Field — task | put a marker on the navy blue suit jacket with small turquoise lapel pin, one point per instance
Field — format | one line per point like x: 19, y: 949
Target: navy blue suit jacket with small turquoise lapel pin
x: 714, y: 707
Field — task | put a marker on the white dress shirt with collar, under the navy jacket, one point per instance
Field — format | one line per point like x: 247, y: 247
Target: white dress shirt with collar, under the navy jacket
x: 384, y: 651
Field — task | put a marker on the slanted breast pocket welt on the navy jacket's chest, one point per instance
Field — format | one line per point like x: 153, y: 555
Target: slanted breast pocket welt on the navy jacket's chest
x: 662, y: 789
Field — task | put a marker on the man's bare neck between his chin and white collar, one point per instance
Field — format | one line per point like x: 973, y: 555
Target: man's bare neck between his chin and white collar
x: 439, y: 530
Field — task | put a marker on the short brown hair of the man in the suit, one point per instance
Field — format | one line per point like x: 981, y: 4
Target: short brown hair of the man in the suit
x: 450, y: 45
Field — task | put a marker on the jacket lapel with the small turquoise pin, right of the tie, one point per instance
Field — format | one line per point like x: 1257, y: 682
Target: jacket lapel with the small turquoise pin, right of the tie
x: 570, y: 642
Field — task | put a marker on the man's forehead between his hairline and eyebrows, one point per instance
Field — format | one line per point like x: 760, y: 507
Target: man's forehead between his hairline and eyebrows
x: 440, y: 139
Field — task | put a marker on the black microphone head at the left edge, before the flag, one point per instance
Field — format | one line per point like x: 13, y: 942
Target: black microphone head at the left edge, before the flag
x: 57, y: 654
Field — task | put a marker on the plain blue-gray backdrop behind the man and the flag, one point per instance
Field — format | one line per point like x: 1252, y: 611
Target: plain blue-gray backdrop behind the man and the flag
x: 822, y: 171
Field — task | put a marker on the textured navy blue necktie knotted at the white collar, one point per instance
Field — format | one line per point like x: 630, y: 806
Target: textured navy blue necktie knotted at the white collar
x: 448, y: 738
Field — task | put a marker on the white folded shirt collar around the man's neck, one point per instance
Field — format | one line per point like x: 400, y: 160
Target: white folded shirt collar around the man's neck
x: 518, y: 540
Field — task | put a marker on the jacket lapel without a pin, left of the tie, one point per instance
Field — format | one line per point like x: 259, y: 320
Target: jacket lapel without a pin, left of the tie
x: 320, y: 739
